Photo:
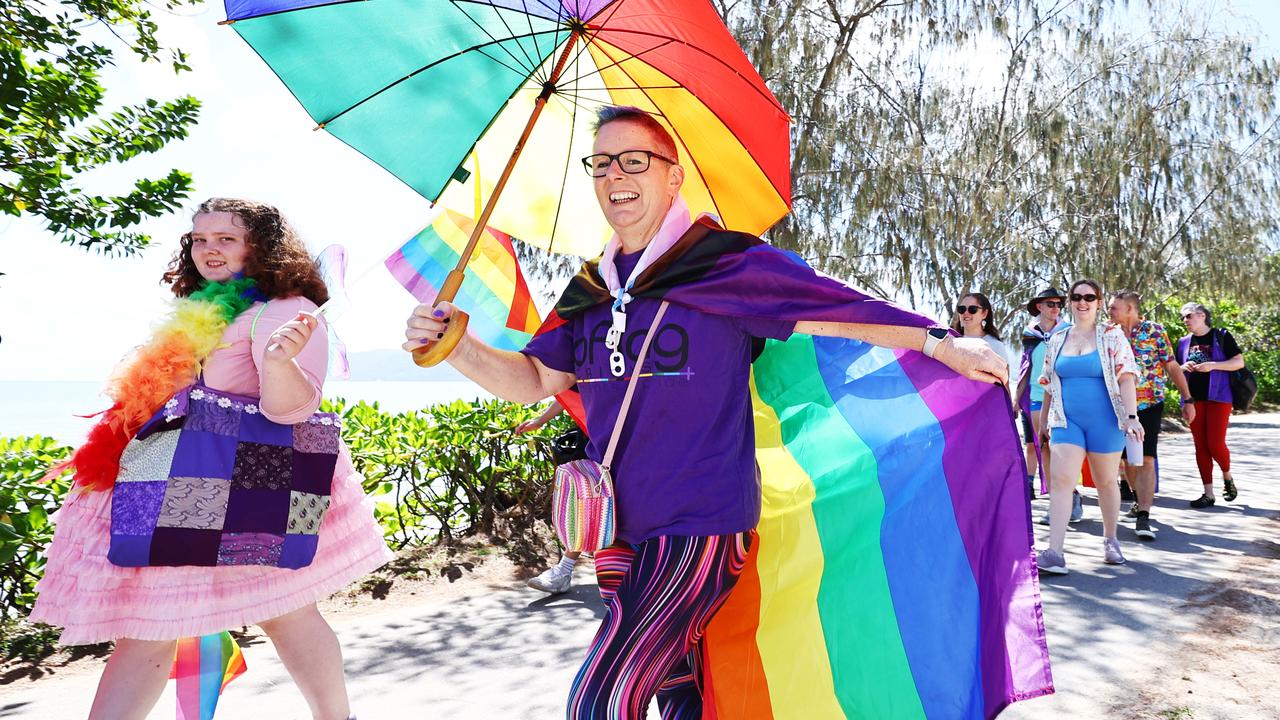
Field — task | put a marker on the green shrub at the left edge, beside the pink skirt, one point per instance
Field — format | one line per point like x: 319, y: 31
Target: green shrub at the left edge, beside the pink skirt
x: 26, y: 504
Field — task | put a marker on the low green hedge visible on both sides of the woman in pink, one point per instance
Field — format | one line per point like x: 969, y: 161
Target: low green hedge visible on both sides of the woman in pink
x: 436, y: 475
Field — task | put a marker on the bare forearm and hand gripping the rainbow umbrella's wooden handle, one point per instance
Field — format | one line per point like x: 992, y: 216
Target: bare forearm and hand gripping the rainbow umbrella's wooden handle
x: 510, y: 376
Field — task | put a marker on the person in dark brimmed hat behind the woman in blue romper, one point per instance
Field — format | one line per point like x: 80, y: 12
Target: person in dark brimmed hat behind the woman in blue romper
x: 1046, y: 311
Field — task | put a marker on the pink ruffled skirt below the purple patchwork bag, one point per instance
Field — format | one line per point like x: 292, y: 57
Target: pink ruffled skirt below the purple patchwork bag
x: 97, y: 601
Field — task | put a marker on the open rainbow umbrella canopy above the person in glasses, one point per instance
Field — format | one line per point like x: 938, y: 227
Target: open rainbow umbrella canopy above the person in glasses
x: 420, y: 85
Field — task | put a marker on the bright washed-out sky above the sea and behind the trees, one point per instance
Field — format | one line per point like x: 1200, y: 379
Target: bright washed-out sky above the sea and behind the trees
x: 70, y: 316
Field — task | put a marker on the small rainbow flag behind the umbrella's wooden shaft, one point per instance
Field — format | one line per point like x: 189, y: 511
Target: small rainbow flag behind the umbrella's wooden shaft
x: 495, y: 293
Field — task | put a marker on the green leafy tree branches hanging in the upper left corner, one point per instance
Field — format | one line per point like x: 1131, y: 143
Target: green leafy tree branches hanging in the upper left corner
x: 54, y: 127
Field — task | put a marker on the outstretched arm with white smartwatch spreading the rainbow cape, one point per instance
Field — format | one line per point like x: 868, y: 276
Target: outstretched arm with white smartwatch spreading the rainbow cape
x: 972, y: 358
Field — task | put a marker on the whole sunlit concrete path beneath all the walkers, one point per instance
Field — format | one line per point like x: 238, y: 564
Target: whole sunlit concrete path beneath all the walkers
x: 513, y: 654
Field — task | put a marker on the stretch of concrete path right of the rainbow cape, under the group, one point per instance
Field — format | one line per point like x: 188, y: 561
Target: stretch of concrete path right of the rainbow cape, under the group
x: 1113, y: 630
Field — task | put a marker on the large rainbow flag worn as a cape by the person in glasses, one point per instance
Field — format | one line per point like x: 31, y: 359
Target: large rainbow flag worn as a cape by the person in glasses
x: 894, y: 575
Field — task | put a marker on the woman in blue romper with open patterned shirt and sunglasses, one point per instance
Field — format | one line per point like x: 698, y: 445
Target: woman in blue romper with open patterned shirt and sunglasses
x: 1091, y: 405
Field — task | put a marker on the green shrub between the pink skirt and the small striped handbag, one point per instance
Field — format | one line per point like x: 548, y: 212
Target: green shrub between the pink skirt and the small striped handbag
x: 451, y: 471
